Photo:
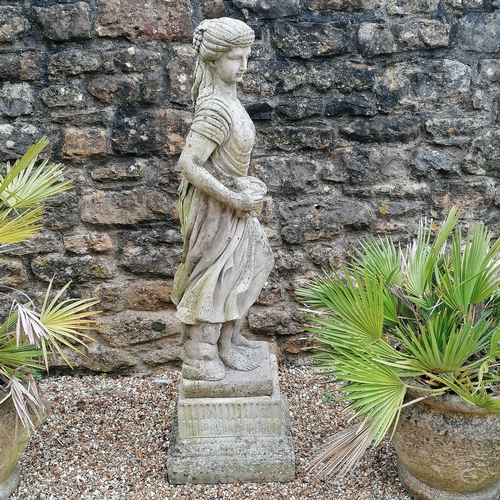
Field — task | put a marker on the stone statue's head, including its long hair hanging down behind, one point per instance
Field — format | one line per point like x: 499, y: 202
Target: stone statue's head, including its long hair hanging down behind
x: 219, y: 43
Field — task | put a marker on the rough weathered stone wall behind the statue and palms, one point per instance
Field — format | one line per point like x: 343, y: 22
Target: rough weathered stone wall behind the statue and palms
x: 370, y: 114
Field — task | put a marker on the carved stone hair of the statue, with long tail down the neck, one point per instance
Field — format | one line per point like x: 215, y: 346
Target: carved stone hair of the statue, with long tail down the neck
x: 211, y: 39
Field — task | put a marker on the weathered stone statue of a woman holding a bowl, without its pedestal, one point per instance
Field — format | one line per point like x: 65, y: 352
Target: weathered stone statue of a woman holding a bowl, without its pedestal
x: 227, y: 257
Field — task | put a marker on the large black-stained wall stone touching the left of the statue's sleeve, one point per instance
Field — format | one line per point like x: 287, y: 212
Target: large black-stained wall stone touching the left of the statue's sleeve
x: 146, y: 132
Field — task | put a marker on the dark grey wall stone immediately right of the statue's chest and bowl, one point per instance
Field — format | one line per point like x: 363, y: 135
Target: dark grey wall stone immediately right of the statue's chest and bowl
x: 287, y: 177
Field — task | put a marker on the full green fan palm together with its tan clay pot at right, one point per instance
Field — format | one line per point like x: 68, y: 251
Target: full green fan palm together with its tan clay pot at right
x: 414, y: 334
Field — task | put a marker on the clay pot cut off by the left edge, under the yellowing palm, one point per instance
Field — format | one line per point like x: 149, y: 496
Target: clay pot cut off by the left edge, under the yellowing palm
x: 13, y: 440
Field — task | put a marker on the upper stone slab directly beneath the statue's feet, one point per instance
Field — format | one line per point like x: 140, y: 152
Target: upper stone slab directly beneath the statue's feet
x: 258, y: 382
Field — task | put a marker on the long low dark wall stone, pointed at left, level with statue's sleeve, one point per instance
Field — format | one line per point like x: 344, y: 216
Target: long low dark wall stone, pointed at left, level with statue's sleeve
x: 382, y: 129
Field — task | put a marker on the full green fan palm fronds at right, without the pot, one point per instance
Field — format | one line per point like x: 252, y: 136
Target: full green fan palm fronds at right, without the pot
x: 424, y: 317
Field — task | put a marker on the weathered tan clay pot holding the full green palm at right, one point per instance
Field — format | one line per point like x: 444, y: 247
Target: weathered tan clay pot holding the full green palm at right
x: 448, y: 449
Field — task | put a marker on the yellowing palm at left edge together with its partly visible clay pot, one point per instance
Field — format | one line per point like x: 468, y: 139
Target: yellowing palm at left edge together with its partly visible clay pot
x: 27, y: 334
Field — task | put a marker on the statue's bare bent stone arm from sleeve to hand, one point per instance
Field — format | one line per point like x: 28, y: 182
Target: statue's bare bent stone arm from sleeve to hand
x: 196, y: 152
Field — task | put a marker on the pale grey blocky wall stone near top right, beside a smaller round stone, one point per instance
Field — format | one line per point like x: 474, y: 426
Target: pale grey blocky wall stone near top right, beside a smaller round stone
x: 417, y: 33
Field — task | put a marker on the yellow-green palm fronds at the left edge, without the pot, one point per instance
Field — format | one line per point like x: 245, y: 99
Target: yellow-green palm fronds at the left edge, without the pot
x: 28, y: 336
